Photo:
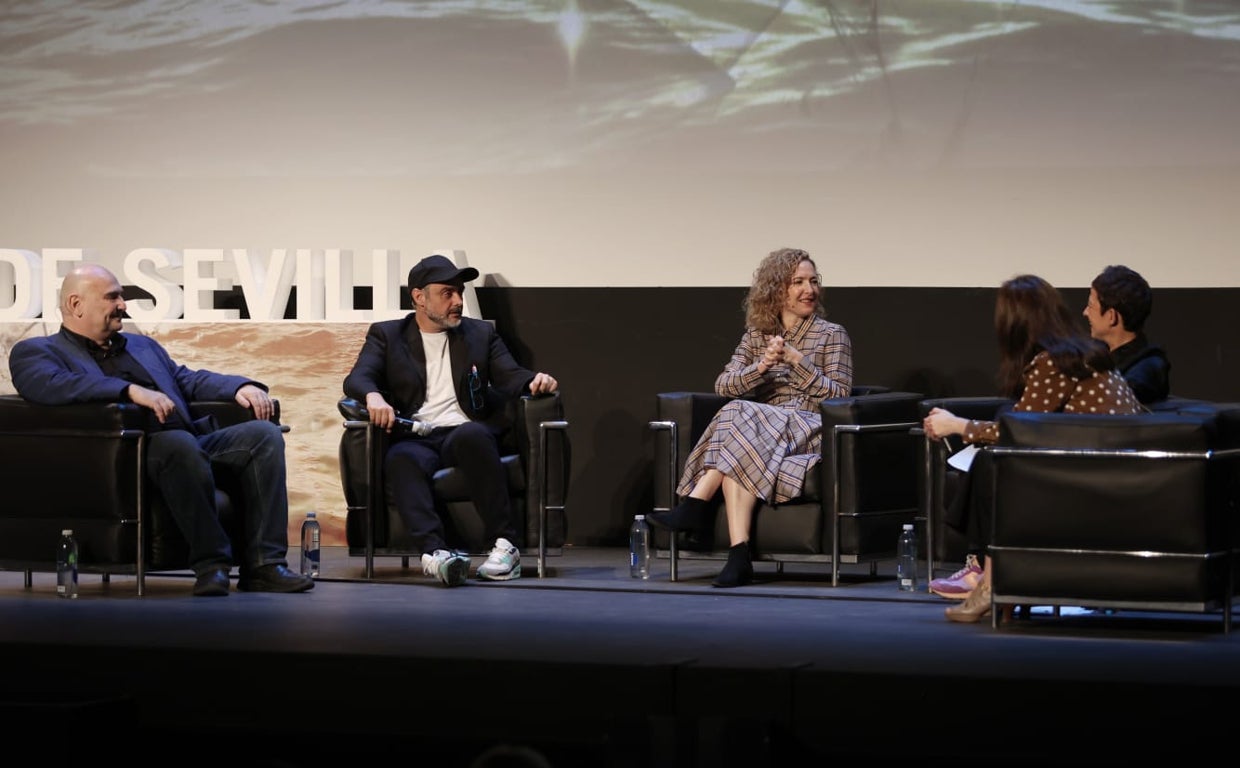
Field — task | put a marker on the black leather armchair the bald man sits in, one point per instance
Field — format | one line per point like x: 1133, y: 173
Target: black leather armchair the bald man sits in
x: 82, y: 467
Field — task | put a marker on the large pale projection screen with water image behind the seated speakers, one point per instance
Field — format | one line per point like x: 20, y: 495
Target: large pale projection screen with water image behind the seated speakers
x: 521, y: 132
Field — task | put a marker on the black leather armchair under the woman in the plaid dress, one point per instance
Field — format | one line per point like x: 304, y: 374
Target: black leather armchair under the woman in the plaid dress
x: 854, y: 506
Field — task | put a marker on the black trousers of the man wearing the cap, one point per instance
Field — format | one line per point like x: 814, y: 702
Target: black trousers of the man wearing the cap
x: 410, y: 468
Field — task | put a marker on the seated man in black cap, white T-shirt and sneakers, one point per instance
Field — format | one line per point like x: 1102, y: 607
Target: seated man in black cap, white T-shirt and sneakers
x: 441, y: 370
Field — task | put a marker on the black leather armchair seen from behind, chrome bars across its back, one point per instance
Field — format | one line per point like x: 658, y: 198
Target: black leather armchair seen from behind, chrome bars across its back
x: 1120, y: 512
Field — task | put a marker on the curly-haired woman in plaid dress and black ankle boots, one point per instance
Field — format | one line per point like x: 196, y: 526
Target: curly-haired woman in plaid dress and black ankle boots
x: 763, y: 444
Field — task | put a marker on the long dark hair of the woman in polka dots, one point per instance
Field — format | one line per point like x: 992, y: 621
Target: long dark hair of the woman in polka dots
x: 1031, y: 317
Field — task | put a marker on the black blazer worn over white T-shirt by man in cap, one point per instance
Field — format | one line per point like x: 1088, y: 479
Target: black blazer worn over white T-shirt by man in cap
x: 394, y: 363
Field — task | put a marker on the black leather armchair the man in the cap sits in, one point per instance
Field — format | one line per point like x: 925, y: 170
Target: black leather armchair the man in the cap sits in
x: 536, y: 453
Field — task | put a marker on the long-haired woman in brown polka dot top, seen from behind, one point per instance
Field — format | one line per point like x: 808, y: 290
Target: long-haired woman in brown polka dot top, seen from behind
x: 1047, y: 364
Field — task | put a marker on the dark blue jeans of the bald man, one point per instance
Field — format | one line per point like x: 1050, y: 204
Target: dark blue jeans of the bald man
x: 184, y: 467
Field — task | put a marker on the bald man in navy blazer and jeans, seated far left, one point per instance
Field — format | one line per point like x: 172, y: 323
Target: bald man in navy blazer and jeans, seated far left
x: 91, y: 360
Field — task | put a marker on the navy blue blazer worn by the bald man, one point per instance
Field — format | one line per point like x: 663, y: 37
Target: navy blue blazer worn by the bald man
x: 56, y: 372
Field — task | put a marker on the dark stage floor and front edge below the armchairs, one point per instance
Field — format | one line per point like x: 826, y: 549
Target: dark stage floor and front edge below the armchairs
x: 591, y: 667
